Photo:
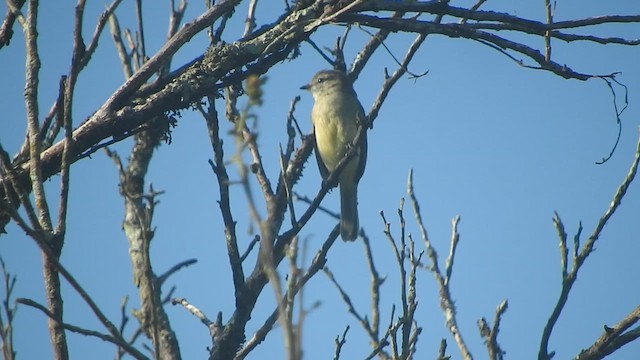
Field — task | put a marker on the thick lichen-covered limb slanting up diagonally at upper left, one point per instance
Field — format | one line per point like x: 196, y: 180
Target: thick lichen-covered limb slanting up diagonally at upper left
x: 120, y: 116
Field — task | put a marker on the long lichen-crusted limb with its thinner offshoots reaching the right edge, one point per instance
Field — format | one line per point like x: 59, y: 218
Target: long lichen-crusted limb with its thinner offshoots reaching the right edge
x: 275, y: 43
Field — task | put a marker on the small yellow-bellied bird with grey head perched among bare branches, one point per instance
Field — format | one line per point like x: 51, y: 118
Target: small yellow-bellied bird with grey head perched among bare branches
x: 336, y: 115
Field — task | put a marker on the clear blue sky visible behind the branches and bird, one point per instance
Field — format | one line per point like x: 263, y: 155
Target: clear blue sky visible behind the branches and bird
x: 500, y: 145
